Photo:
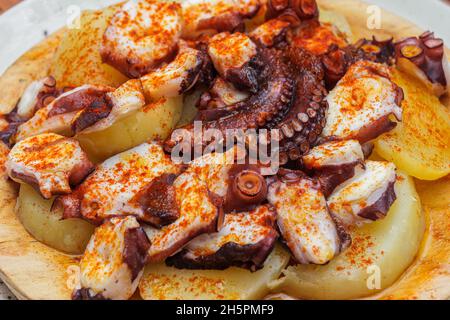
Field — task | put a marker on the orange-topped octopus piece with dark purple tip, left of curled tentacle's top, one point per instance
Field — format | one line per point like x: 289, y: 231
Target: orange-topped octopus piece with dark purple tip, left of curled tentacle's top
x: 231, y: 55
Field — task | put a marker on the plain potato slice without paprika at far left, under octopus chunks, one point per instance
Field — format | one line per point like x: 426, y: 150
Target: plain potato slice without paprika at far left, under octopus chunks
x: 70, y: 236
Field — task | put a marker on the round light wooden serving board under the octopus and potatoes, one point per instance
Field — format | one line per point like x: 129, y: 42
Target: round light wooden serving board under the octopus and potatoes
x: 34, y: 271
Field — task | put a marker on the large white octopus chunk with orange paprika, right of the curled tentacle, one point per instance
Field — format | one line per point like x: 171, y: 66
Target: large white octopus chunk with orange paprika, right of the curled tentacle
x: 362, y: 102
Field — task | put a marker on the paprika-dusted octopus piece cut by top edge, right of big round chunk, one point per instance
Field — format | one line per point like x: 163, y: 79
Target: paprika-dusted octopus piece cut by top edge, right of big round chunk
x: 211, y: 16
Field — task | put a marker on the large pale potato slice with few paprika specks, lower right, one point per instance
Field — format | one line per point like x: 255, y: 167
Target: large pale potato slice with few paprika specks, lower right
x: 384, y: 248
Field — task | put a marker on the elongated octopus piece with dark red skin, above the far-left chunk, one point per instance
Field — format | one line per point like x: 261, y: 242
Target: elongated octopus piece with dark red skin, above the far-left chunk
x: 60, y: 115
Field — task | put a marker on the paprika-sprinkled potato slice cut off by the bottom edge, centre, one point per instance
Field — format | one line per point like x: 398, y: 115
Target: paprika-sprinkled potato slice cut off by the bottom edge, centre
x: 167, y: 283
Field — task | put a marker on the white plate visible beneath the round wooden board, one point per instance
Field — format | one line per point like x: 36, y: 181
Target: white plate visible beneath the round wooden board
x: 28, y: 23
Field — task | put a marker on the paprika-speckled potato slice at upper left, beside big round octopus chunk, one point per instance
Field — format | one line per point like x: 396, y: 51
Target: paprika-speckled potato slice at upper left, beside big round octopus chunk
x: 77, y: 60
